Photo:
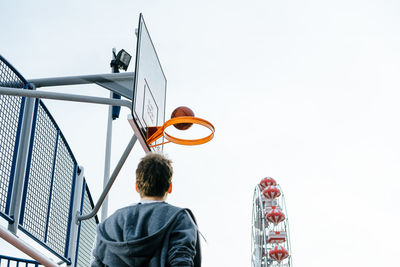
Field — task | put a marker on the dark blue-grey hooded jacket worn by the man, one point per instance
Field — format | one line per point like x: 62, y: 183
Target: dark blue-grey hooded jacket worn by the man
x: 153, y: 234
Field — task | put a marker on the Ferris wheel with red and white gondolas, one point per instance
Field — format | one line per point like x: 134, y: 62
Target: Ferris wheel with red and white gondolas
x: 270, y: 240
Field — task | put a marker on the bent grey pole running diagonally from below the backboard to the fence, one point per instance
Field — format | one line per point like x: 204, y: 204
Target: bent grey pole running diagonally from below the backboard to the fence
x: 111, y: 180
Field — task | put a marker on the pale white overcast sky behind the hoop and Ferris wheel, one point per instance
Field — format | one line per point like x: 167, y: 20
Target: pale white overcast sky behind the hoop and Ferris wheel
x: 303, y: 91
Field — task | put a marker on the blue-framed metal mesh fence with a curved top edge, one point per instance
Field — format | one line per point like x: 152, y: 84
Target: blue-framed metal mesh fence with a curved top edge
x: 39, y: 177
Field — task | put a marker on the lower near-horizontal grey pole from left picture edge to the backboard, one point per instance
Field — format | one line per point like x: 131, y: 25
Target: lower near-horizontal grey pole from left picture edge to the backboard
x: 67, y: 97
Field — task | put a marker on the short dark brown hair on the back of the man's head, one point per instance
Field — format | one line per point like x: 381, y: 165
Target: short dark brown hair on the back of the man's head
x: 153, y: 175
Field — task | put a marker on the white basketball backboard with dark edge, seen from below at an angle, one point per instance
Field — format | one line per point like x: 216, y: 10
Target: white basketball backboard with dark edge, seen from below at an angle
x: 149, y: 90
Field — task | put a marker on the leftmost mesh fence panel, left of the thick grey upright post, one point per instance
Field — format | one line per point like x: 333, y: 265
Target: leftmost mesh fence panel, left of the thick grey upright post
x: 11, y: 109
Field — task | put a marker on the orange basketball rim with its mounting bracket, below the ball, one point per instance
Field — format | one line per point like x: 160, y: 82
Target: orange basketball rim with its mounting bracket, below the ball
x: 158, y: 132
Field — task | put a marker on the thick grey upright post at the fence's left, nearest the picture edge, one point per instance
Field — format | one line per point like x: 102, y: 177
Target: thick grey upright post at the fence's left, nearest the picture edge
x: 20, y: 167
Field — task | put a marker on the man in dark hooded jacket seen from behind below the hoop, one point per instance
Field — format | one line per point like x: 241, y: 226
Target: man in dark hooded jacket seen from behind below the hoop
x: 151, y: 233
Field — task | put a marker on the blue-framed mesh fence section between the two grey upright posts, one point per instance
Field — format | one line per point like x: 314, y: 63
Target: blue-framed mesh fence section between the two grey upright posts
x: 49, y: 184
